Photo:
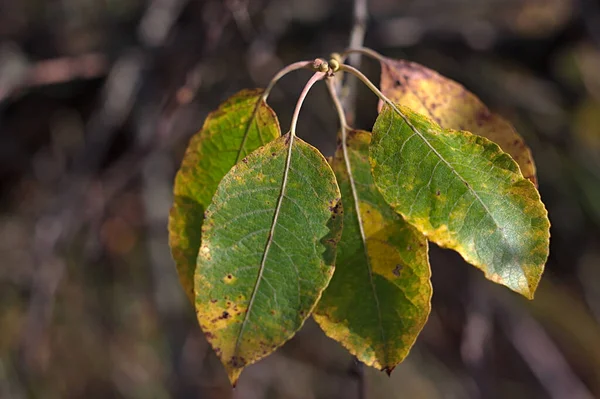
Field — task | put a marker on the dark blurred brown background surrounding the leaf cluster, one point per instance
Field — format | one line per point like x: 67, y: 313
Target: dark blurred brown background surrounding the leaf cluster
x: 98, y: 99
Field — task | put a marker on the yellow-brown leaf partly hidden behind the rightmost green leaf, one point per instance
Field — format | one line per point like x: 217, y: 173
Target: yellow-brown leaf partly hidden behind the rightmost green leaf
x: 451, y: 106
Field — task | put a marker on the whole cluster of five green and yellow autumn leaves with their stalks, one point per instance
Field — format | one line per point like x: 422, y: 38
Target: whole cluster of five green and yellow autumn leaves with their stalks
x: 266, y: 232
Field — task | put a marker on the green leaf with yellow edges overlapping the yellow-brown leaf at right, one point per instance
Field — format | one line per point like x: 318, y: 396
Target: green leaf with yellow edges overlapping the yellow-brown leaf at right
x: 463, y: 193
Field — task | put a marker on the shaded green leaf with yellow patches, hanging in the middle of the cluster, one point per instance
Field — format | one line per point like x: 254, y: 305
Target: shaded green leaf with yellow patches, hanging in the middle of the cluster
x: 380, y: 295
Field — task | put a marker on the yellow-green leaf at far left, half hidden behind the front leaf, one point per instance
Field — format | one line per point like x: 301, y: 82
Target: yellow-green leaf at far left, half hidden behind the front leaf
x: 239, y: 126
